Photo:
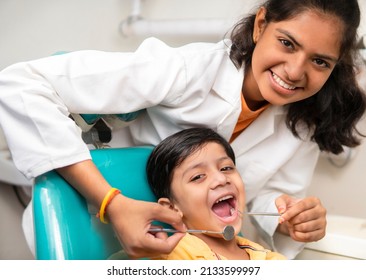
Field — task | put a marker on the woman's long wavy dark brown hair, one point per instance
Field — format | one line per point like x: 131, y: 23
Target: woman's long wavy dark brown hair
x: 332, y: 114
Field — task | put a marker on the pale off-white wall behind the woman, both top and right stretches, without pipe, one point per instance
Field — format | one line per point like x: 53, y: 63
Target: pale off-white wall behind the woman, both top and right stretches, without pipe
x: 37, y: 28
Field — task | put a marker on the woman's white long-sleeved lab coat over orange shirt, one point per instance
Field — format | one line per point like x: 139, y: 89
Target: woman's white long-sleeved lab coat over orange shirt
x: 182, y: 87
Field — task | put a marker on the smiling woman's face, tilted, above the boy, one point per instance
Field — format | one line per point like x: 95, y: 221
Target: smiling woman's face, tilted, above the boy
x: 292, y: 59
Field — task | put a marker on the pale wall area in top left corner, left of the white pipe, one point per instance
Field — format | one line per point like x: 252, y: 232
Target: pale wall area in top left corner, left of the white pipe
x: 37, y: 28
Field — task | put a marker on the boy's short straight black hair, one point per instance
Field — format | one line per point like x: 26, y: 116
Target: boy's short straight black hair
x: 173, y: 150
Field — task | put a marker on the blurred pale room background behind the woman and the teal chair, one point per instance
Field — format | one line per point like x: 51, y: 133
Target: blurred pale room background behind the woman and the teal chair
x: 38, y: 28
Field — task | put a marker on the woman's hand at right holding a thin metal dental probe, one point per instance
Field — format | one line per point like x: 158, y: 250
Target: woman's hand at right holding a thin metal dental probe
x: 302, y: 219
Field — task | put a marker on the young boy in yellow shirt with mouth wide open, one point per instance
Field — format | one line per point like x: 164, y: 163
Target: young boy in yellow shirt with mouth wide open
x: 194, y: 173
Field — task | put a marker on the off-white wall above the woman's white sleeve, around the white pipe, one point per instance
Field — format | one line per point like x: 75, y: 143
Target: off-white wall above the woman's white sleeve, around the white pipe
x: 37, y: 28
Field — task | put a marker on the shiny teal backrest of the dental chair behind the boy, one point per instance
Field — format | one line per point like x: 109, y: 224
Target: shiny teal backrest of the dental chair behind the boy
x: 66, y: 227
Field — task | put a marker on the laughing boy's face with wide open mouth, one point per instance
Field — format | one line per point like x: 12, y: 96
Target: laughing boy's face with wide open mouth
x: 208, y: 190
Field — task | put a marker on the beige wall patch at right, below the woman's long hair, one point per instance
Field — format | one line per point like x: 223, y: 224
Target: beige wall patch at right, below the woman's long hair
x: 342, y: 189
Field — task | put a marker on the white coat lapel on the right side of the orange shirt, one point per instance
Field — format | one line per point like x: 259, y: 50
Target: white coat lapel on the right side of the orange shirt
x: 262, y: 128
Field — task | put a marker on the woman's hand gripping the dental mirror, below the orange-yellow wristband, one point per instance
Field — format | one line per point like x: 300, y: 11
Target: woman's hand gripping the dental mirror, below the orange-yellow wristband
x: 131, y: 220
